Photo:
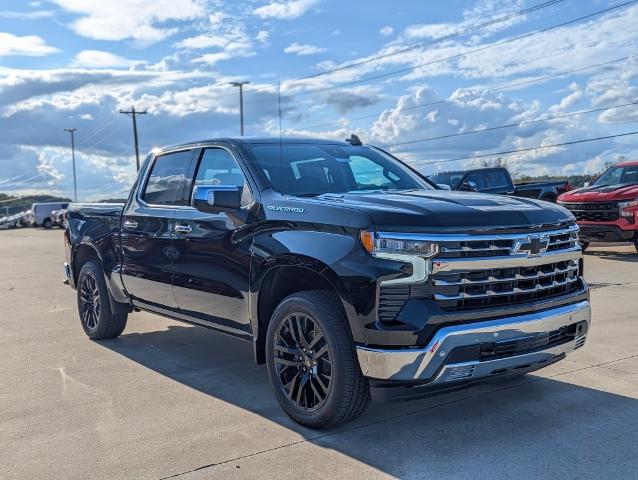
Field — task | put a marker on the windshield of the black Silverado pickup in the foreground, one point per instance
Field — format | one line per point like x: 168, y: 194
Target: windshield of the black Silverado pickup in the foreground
x: 315, y: 169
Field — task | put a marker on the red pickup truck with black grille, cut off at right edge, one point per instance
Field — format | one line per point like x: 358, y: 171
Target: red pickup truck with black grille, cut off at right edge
x: 607, y: 210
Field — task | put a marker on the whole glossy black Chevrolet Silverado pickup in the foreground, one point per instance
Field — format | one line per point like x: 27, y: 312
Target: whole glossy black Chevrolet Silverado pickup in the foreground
x: 352, y: 275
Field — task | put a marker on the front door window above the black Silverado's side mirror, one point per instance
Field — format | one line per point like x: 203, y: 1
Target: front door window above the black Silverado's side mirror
x: 218, y: 167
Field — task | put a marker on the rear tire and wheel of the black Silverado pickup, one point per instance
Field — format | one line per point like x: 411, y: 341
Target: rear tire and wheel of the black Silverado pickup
x: 94, y: 307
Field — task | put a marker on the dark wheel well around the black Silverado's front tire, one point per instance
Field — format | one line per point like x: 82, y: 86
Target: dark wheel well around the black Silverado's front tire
x: 278, y: 284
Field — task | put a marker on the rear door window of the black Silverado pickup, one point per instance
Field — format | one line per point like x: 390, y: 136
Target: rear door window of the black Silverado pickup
x: 165, y: 185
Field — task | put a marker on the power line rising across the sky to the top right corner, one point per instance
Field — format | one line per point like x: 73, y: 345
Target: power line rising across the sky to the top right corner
x: 463, y: 54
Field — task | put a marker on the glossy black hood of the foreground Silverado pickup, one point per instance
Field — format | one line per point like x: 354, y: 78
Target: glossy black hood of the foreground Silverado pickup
x: 448, y: 210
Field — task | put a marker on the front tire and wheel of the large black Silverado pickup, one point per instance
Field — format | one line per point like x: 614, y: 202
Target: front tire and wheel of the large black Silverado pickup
x: 312, y: 363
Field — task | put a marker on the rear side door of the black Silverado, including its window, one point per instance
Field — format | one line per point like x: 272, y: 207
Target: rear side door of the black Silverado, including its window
x: 148, y: 226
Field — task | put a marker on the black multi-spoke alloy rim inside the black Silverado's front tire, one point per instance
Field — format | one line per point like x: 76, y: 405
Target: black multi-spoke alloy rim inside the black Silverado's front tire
x: 303, y: 361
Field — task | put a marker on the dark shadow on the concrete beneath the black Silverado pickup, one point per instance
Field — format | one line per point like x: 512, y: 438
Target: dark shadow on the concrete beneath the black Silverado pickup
x: 525, y: 428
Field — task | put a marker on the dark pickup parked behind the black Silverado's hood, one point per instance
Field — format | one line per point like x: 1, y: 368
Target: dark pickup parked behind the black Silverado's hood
x: 497, y: 180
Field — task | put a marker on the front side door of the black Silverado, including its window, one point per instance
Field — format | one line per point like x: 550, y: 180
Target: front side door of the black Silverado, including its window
x: 212, y: 263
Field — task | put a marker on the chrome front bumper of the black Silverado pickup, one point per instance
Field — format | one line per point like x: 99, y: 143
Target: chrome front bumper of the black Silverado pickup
x: 447, y: 359
